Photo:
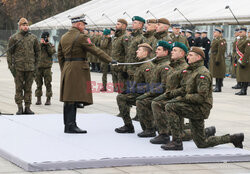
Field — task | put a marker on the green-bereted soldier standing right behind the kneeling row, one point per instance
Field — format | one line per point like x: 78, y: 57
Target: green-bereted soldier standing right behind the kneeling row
x: 135, y: 39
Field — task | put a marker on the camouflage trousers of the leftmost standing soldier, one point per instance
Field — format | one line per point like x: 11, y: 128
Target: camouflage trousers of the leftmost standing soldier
x: 23, y: 82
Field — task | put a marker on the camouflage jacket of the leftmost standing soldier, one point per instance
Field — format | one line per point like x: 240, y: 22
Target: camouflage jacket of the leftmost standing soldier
x: 25, y: 54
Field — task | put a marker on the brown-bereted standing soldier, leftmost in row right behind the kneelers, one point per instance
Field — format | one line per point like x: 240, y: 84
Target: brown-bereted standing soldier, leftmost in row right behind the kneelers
x: 119, y: 50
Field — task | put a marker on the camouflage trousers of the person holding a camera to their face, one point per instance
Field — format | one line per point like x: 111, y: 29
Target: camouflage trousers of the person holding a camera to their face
x: 43, y: 74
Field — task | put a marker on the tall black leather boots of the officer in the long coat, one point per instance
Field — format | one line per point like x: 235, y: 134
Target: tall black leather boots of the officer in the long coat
x: 69, y: 113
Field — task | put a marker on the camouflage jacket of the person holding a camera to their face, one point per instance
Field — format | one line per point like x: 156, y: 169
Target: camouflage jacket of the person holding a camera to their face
x: 46, y: 60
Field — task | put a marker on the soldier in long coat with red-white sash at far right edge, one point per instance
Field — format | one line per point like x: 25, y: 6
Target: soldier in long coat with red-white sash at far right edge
x: 243, y: 63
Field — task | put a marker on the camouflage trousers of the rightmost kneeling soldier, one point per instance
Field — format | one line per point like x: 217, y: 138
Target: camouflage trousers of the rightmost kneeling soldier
x: 178, y: 110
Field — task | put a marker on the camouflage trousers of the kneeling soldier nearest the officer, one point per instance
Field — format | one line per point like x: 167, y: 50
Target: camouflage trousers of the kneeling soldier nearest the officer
x: 125, y: 102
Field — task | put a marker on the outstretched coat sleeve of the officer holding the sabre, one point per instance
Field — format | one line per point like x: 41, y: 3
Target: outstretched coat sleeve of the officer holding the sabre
x: 86, y: 44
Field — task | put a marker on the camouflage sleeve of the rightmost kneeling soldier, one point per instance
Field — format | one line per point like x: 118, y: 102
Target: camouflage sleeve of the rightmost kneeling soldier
x: 203, y: 85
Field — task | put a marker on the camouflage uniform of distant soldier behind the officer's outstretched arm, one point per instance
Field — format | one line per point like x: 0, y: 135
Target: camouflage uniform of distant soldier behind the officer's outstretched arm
x: 105, y: 45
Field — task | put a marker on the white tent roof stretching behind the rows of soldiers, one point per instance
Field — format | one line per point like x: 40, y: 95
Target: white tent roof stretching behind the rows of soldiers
x: 199, y: 12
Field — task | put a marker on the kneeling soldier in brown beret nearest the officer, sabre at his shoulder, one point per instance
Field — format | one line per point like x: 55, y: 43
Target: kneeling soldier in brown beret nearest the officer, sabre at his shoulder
x: 141, y: 82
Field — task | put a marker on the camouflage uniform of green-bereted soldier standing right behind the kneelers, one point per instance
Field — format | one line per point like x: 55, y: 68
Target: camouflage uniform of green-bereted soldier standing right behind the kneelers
x: 135, y: 39
